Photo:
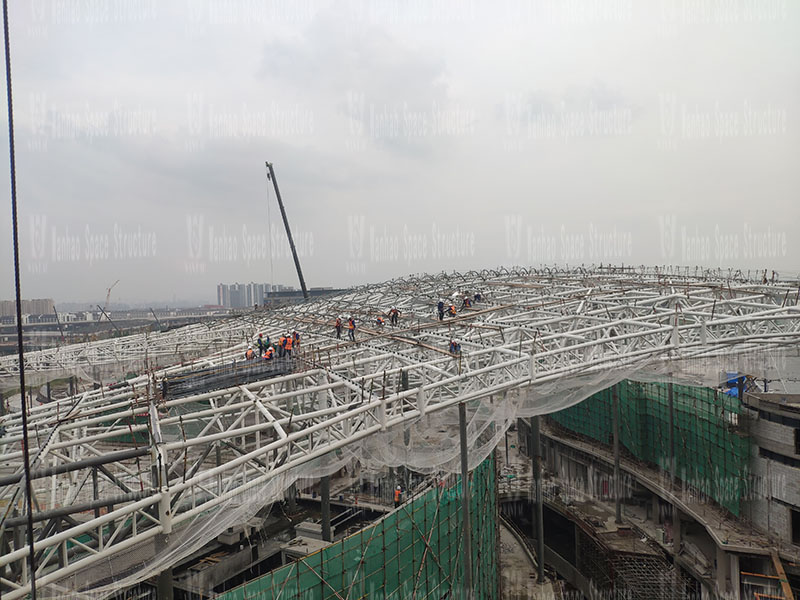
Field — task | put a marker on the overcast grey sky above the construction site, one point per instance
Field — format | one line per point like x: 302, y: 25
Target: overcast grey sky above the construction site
x: 406, y: 137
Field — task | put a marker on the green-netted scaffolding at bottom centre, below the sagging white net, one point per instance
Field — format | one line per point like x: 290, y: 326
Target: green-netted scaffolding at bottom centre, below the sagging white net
x: 414, y: 552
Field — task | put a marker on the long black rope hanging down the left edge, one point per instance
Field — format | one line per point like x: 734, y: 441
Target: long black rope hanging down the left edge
x: 23, y: 403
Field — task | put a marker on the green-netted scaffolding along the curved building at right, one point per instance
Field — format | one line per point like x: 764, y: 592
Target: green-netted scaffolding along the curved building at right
x: 711, y: 451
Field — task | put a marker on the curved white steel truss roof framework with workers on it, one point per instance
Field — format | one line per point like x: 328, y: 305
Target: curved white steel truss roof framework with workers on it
x: 120, y: 469
